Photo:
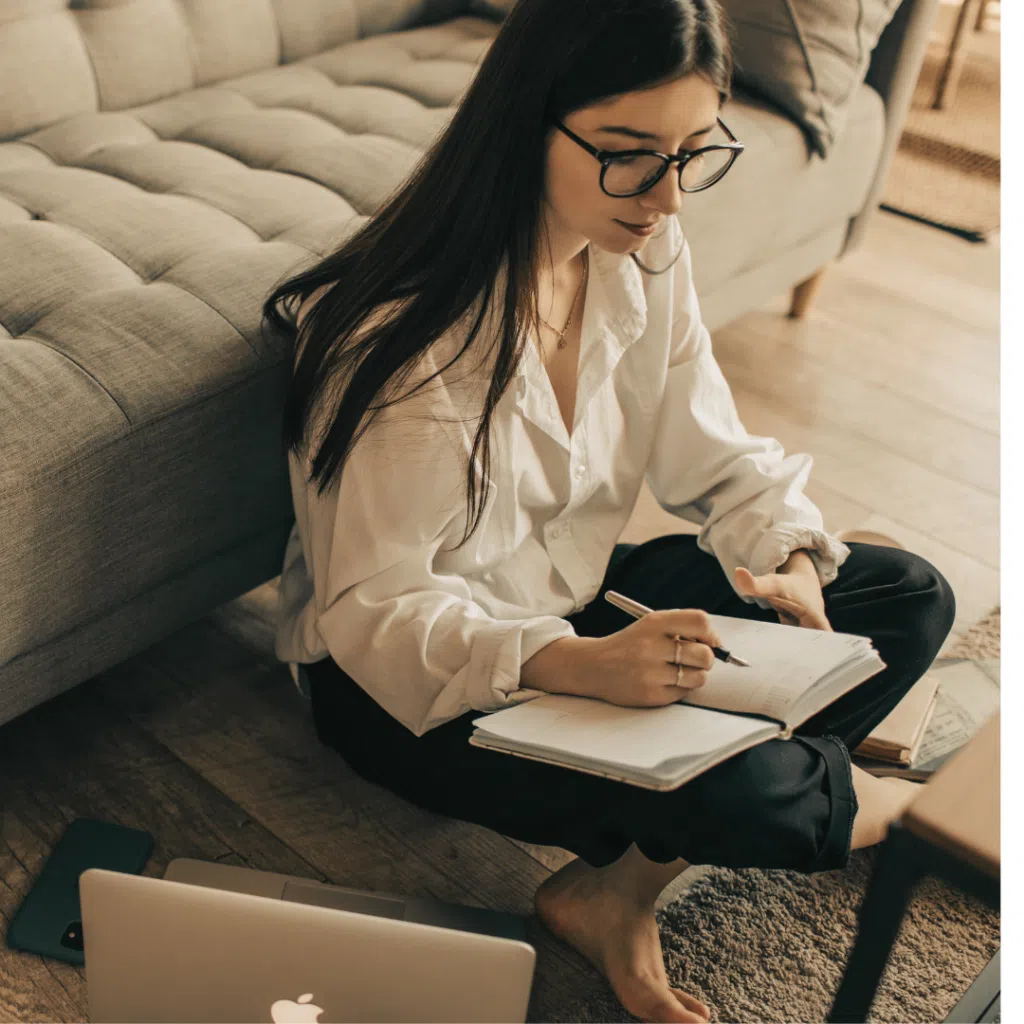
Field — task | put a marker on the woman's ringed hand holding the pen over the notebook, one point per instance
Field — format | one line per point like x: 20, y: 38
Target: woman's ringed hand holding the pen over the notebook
x: 635, y: 667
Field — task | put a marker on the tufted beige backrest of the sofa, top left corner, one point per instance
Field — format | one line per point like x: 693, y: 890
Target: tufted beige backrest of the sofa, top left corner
x: 60, y: 58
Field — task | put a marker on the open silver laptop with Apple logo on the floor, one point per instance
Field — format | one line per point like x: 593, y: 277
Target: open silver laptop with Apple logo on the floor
x: 218, y: 943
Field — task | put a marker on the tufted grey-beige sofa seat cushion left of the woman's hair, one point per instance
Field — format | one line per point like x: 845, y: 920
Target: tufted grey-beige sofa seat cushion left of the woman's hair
x: 140, y: 400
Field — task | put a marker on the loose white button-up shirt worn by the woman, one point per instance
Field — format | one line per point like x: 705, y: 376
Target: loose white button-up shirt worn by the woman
x: 371, y: 577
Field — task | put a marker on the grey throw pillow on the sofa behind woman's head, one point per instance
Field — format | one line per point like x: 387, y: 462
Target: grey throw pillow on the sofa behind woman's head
x: 808, y: 57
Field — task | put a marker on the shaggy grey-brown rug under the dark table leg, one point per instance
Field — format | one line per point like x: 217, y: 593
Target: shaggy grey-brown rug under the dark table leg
x: 771, y: 946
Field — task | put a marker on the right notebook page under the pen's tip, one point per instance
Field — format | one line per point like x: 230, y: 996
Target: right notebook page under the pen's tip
x: 786, y: 662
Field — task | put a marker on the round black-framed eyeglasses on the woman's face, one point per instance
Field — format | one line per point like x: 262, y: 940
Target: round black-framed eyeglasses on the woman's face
x: 630, y: 173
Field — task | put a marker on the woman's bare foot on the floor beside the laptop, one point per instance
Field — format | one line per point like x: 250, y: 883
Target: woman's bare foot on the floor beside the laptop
x: 620, y: 937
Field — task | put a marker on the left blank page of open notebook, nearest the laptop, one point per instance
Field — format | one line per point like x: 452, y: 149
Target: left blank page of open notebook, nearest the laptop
x: 634, y: 738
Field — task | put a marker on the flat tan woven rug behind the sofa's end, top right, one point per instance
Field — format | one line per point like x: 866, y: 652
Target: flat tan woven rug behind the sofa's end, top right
x: 947, y: 169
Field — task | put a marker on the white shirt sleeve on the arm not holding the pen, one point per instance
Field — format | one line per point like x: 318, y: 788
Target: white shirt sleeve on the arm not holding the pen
x: 743, y: 490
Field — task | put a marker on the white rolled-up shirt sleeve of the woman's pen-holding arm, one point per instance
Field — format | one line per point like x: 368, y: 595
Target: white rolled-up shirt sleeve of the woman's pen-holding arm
x: 412, y: 637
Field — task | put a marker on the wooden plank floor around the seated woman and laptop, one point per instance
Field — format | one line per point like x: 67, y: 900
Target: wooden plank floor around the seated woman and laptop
x: 892, y: 385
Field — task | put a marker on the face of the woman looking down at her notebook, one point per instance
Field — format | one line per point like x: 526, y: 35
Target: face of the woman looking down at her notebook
x: 670, y: 118
